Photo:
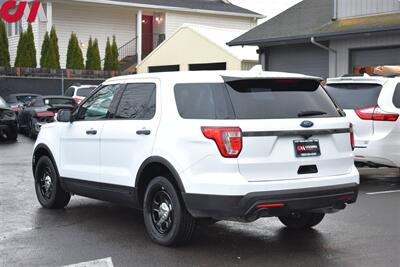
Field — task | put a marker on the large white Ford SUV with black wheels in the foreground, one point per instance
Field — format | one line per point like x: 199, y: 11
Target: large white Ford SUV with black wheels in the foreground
x: 193, y: 146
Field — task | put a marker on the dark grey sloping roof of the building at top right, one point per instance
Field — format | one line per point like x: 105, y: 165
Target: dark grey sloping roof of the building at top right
x: 313, y: 18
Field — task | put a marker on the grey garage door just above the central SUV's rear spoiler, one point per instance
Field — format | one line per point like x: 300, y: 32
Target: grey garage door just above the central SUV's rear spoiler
x: 305, y: 59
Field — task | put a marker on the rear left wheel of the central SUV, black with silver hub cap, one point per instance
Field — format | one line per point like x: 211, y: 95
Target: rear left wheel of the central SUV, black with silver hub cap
x: 177, y: 226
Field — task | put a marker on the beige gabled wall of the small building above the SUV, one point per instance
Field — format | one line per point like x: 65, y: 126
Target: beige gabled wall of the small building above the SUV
x: 188, y: 47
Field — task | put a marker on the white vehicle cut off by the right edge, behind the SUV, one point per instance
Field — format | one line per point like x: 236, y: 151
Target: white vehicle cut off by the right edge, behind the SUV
x: 372, y: 105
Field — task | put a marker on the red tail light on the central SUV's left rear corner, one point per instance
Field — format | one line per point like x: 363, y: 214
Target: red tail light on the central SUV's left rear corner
x: 228, y: 139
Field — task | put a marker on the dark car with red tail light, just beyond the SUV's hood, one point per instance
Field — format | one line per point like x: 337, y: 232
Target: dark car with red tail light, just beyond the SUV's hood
x: 42, y: 110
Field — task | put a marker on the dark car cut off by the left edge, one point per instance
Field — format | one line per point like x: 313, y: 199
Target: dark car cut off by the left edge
x: 8, y: 121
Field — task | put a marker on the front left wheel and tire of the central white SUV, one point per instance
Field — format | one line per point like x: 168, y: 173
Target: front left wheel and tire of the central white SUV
x: 47, y: 185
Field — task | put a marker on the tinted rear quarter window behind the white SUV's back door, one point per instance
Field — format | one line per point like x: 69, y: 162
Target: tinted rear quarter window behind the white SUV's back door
x: 203, y: 101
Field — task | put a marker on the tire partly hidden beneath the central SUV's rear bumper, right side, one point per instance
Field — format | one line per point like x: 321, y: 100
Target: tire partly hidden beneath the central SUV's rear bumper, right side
x: 304, y: 220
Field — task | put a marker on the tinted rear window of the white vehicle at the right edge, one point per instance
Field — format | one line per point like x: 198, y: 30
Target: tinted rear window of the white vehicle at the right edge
x: 355, y: 95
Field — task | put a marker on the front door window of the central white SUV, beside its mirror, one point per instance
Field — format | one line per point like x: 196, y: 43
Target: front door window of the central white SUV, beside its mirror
x: 97, y: 107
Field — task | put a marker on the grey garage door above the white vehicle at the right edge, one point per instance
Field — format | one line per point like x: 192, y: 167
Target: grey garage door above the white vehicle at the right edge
x: 374, y: 57
